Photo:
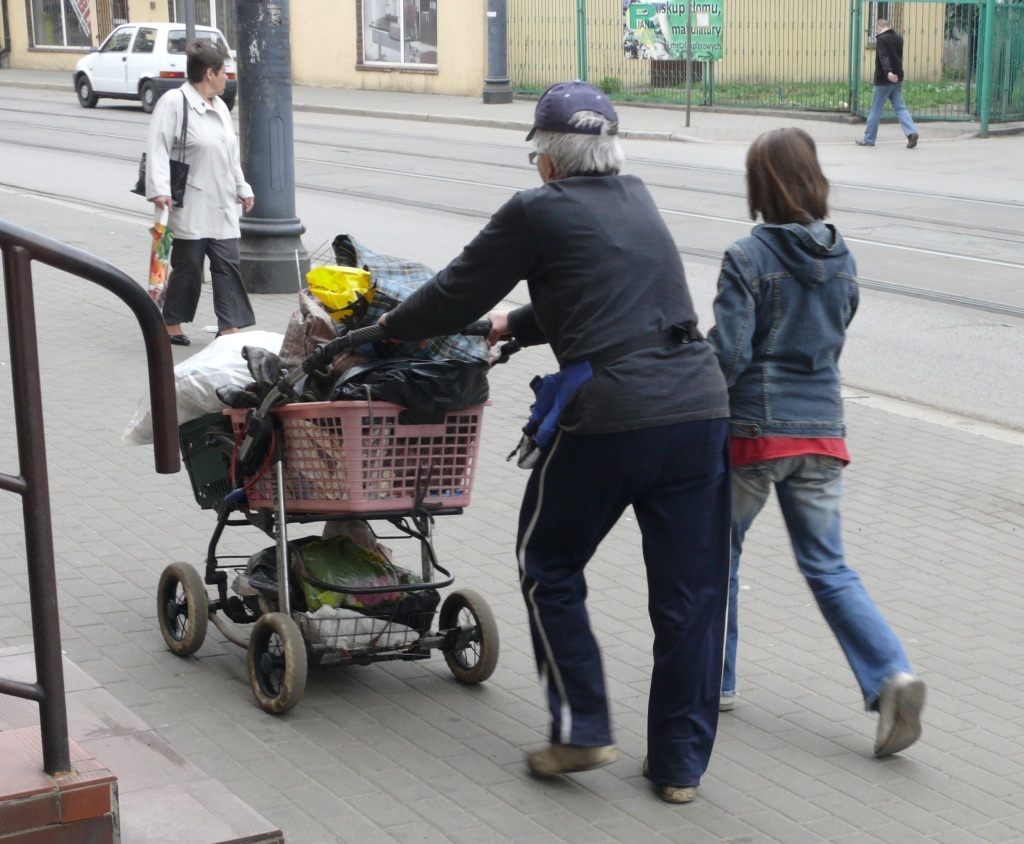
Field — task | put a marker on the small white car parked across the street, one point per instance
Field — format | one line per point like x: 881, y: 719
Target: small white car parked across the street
x: 144, y: 62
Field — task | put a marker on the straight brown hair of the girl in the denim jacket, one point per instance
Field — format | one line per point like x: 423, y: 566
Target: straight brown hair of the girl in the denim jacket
x: 785, y: 183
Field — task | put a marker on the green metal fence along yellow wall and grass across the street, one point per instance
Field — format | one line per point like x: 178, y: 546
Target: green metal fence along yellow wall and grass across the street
x: 964, y: 60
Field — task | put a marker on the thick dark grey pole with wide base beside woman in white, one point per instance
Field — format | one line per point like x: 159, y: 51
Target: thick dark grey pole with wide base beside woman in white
x: 272, y: 254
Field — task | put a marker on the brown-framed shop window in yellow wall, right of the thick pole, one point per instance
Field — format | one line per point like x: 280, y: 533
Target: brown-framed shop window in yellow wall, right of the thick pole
x: 399, y: 32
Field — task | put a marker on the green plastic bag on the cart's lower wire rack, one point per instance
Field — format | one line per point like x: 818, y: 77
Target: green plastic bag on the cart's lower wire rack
x: 343, y: 564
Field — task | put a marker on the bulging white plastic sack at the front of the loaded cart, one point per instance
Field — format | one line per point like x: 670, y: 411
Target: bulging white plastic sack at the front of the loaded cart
x: 197, y: 381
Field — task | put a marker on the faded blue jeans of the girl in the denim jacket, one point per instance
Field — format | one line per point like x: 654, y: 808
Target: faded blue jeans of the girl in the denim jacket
x: 809, y: 489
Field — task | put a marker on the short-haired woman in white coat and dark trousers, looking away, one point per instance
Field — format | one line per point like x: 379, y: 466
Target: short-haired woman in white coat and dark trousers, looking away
x: 207, y: 225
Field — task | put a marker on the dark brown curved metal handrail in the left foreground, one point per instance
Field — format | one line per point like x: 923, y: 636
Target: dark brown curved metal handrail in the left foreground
x: 20, y: 248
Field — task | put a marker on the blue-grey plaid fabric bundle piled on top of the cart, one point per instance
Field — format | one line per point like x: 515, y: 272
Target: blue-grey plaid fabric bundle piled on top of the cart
x: 394, y: 281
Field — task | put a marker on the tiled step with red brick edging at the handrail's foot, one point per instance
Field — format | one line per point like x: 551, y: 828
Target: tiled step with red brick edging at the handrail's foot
x: 129, y: 784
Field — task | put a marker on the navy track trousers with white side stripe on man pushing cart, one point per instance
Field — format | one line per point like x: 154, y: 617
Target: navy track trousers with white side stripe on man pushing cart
x: 677, y: 480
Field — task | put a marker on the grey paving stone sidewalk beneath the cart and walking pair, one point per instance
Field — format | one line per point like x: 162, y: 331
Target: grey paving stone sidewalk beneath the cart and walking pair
x: 402, y: 753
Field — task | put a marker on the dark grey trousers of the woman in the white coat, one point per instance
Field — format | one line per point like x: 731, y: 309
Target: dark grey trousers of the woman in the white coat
x: 231, y: 303
